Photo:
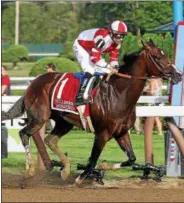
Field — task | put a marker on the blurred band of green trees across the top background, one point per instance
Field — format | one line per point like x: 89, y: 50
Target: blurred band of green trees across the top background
x: 60, y: 22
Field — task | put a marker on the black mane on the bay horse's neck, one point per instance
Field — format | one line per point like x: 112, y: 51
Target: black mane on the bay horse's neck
x: 128, y: 60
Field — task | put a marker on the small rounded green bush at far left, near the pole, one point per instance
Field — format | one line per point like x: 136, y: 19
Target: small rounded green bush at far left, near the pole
x: 15, y: 53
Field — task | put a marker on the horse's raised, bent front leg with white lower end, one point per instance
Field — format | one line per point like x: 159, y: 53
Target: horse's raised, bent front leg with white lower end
x: 125, y: 144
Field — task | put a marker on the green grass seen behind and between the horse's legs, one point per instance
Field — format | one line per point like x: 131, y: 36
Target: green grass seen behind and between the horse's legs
x: 78, y: 145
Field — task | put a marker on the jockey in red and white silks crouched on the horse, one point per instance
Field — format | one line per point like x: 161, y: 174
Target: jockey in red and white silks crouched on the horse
x: 89, y: 47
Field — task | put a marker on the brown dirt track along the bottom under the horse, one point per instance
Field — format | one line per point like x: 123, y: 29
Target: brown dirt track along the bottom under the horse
x: 48, y: 187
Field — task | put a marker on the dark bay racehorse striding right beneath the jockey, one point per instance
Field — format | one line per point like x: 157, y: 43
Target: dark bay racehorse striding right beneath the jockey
x: 112, y: 110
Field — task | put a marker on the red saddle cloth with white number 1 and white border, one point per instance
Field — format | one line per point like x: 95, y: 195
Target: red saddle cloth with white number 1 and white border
x: 64, y: 94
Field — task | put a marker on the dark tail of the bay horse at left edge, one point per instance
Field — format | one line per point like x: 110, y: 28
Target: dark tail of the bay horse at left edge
x: 15, y: 111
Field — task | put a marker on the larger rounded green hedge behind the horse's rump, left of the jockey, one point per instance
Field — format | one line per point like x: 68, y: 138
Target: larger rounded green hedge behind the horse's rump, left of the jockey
x: 62, y: 65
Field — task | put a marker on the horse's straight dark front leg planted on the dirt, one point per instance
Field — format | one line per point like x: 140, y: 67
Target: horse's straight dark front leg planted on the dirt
x: 99, y: 143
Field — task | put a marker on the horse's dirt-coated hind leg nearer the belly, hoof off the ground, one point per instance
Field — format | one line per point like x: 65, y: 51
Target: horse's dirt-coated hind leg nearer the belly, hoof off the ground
x: 61, y: 128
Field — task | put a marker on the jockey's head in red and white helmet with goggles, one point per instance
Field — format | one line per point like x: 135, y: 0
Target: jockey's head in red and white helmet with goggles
x: 118, y: 30
